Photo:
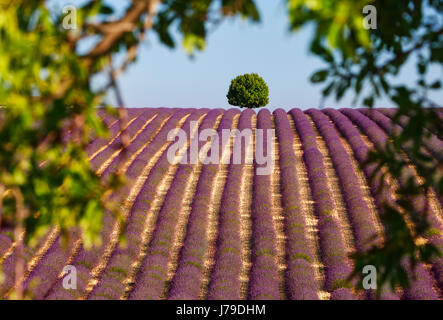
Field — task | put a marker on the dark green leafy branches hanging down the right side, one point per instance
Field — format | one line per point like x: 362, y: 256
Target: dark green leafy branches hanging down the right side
x: 357, y: 59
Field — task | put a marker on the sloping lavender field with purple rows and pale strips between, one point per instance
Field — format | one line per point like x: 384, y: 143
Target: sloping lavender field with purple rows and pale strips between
x: 220, y: 230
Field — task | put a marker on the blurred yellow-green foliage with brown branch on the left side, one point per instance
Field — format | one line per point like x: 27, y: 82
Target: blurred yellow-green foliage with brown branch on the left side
x: 45, y: 182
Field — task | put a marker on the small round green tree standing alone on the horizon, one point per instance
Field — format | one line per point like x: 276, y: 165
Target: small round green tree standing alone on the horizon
x: 248, y: 91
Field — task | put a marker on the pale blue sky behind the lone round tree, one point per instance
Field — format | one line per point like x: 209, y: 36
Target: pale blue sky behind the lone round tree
x: 162, y: 77
